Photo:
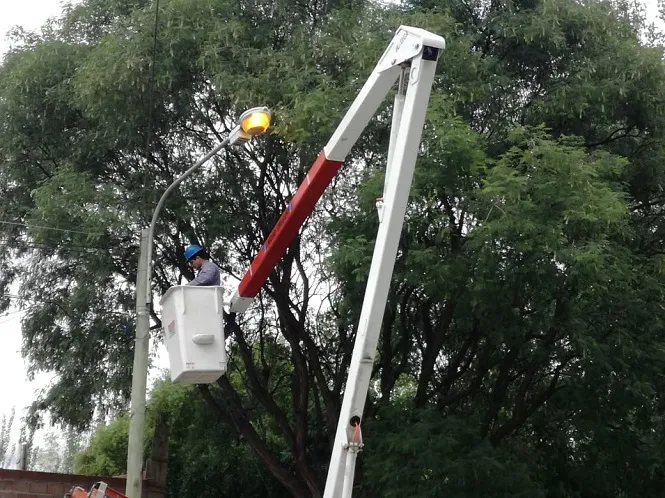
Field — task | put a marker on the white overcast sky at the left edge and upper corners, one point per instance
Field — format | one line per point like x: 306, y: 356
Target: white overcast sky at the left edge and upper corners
x: 15, y: 390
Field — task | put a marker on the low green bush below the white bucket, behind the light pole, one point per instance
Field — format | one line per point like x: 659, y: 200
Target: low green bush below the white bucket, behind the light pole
x: 206, y: 458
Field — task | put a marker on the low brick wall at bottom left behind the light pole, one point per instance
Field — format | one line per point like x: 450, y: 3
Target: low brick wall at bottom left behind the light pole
x: 27, y: 484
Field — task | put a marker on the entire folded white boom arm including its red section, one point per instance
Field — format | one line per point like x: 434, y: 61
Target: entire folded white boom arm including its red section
x: 410, y: 59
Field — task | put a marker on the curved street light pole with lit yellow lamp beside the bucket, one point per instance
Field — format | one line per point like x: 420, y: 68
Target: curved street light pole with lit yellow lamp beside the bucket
x: 252, y: 122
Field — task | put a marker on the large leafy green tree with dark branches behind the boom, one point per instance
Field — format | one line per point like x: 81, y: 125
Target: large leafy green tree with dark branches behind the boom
x: 524, y: 318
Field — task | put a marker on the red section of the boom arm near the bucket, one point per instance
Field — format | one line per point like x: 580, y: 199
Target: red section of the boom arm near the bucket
x: 301, y: 205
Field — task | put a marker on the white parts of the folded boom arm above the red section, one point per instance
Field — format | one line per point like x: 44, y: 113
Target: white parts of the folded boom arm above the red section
x: 410, y: 58
